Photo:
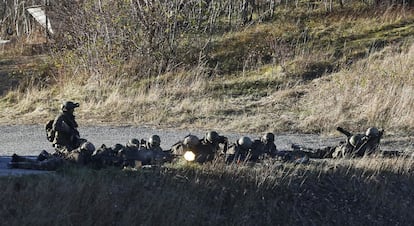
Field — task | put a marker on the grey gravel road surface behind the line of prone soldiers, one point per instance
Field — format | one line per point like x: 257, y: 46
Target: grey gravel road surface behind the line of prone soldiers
x: 30, y: 140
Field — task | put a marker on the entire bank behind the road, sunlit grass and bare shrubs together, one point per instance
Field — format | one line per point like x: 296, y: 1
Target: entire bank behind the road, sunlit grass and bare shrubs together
x: 306, y: 66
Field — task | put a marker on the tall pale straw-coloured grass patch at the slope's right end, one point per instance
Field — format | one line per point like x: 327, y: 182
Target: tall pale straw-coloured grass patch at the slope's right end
x: 376, y: 91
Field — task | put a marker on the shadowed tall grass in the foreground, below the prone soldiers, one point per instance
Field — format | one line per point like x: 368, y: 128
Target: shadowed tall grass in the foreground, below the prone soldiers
x: 347, y: 192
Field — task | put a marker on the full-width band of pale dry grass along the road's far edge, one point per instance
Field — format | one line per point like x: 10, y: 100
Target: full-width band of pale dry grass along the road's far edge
x: 376, y: 91
